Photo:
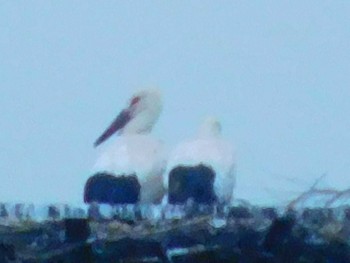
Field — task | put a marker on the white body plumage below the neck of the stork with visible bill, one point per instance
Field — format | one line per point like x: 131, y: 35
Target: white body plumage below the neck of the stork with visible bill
x: 141, y: 155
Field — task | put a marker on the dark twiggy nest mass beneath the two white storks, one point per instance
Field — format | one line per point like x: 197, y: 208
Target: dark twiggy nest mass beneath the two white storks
x: 248, y: 234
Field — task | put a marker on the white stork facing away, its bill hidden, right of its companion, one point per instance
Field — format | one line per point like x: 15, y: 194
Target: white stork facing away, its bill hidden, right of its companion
x: 206, y: 164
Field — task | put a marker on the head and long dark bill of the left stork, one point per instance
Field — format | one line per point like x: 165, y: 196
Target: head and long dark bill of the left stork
x: 138, y: 117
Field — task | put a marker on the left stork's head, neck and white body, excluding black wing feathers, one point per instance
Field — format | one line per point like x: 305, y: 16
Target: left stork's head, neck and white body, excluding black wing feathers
x: 135, y: 151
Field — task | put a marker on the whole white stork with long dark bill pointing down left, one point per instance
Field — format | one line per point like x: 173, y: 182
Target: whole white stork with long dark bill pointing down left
x: 134, y: 154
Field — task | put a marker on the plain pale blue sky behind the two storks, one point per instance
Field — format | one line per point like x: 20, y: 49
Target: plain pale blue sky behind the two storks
x: 276, y: 74
